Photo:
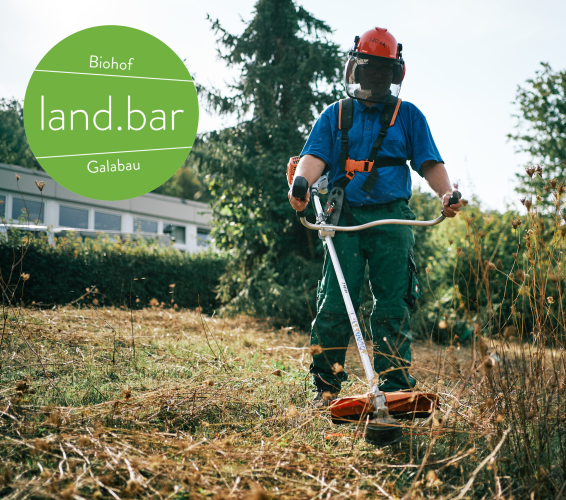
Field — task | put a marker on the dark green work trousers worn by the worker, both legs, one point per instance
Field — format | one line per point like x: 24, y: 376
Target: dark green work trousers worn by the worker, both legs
x: 388, y: 250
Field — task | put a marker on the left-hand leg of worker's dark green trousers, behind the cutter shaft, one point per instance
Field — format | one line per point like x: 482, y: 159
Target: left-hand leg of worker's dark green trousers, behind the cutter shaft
x: 331, y: 328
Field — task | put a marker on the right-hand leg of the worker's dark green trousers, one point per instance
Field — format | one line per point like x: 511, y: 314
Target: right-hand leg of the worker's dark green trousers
x: 387, y: 250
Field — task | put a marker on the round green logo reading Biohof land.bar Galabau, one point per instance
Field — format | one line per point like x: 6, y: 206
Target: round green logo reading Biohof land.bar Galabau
x: 111, y: 112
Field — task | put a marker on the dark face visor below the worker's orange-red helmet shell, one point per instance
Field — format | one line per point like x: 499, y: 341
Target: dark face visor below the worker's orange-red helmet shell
x: 372, y: 78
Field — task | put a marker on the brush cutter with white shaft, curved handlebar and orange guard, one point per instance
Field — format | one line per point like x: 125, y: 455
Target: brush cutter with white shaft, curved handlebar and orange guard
x: 376, y: 409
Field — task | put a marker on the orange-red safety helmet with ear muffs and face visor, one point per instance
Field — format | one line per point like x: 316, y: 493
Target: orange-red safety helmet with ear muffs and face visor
x: 379, y: 56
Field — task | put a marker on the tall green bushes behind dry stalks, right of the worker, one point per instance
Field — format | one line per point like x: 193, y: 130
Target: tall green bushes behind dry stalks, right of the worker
x: 485, y: 271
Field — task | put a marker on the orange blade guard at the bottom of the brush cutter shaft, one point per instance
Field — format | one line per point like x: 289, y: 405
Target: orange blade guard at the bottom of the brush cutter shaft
x: 401, y: 405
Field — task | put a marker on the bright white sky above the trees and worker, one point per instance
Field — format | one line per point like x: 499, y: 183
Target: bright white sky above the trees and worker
x: 465, y: 60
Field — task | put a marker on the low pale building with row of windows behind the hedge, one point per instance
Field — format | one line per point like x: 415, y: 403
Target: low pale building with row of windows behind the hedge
x: 151, y: 215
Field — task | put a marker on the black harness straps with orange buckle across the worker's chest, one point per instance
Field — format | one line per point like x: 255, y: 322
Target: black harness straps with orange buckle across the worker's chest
x: 371, y: 165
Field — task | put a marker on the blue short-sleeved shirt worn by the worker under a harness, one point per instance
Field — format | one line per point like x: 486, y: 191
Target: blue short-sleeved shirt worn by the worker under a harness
x: 410, y: 137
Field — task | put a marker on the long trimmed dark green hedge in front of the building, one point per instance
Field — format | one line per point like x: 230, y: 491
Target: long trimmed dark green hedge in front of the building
x: 121, y: 271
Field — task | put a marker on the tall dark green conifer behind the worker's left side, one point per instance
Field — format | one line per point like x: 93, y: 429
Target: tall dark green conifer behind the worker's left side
x: 288, y: 73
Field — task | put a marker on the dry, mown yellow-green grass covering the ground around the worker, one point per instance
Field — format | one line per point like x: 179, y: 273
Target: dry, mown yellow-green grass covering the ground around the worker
x: 219, y: 408
